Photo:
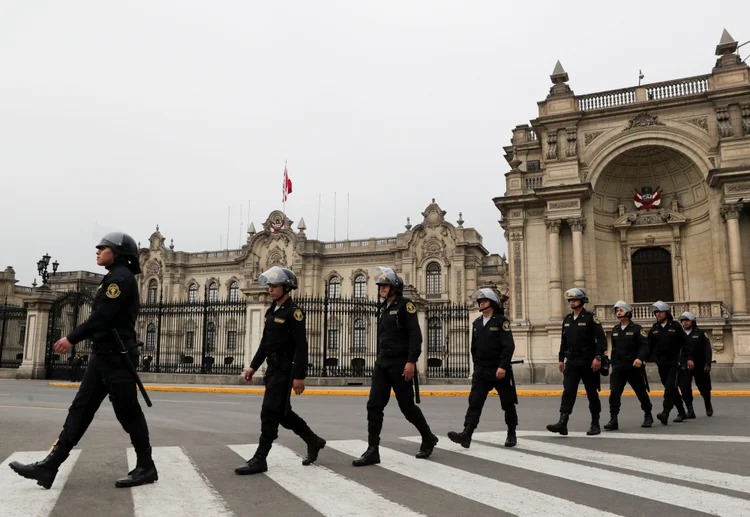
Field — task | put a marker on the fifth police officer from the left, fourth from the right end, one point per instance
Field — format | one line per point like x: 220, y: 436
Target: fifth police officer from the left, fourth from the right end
x: 582, y: 347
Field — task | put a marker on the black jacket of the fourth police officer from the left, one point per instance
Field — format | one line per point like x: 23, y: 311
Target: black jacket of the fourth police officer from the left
x: 492, y: 345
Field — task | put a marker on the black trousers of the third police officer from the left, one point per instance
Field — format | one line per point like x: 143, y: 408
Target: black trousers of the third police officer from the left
x: 387, y: 374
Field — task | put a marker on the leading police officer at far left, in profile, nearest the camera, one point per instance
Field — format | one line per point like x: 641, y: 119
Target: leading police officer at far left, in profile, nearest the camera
x: 115, y: 306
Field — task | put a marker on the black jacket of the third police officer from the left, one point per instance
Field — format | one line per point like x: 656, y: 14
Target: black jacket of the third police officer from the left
x: 398, y: 330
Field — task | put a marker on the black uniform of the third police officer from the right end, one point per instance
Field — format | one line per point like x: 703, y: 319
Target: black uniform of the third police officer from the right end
x: 628, y: 344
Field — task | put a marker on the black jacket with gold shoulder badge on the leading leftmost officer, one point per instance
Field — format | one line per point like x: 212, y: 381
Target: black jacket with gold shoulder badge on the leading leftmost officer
x: 115, y: 306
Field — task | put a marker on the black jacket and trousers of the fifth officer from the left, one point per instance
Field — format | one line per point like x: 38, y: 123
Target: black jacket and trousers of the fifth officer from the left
x: 582, y: 341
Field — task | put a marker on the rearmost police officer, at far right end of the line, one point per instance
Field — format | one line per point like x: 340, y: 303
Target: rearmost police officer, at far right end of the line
x: 699, y: 367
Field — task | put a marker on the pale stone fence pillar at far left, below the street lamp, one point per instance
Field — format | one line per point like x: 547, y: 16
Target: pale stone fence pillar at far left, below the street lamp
x: 35, y: 346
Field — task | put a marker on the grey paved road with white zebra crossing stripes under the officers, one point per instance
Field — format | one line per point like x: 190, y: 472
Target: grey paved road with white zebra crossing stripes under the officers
x: 696, y: 468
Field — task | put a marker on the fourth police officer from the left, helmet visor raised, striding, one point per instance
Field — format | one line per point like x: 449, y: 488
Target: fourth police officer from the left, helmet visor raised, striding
x: 492, y: 349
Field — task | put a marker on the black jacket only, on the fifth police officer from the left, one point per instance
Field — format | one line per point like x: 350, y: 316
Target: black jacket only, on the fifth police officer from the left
x: 582, y: 338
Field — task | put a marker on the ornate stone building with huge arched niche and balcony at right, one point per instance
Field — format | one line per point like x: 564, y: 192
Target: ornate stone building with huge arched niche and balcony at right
x: 639, y: 194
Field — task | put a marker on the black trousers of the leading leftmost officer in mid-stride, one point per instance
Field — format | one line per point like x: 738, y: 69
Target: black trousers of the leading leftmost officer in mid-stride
x: 107, y: 375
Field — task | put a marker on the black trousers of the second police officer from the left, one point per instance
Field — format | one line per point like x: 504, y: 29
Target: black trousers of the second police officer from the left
x: 277, y: 408
